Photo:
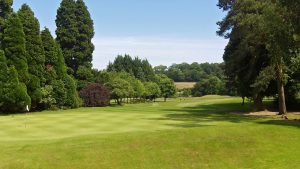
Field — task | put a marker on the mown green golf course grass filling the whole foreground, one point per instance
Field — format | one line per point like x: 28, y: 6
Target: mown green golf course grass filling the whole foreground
x: 182, y: 133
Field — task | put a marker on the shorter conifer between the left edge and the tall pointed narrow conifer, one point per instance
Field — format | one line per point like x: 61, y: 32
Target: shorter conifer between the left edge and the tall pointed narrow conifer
x: 14, y: 47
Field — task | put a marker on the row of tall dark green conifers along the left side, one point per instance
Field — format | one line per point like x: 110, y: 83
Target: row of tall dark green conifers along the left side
x: 38, y: 71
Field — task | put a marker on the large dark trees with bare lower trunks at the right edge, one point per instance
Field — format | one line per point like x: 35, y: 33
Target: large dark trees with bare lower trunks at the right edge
x: 262, y: 56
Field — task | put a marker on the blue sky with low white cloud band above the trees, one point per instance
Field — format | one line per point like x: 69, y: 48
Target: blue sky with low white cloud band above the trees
x: 163, y: 31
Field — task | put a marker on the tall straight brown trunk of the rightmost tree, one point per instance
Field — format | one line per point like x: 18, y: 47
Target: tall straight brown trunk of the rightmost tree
x: 280, y: 88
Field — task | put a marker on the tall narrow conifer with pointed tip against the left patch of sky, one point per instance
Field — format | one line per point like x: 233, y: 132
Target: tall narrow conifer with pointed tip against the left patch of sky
x: 34, y: 54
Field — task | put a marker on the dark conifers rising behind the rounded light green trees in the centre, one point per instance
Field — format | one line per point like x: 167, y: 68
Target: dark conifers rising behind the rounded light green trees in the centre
x: 140, y: 69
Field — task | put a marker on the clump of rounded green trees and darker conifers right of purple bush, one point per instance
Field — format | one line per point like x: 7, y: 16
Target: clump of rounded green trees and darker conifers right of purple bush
x: 132, y: 80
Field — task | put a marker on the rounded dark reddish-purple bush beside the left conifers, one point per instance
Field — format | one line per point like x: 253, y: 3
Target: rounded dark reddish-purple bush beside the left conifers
x: 95, y: 95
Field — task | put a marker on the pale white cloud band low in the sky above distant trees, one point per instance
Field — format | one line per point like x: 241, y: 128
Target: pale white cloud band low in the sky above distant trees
x: 158, y: 50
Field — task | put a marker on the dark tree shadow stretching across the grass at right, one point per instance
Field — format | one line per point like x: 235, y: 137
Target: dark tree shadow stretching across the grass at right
x: 226, y: 112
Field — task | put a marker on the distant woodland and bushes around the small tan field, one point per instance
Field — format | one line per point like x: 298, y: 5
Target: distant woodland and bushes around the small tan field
x: 209, y: 77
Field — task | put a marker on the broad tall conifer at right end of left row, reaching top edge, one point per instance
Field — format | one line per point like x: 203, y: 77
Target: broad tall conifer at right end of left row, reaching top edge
x: 74, y: 34
